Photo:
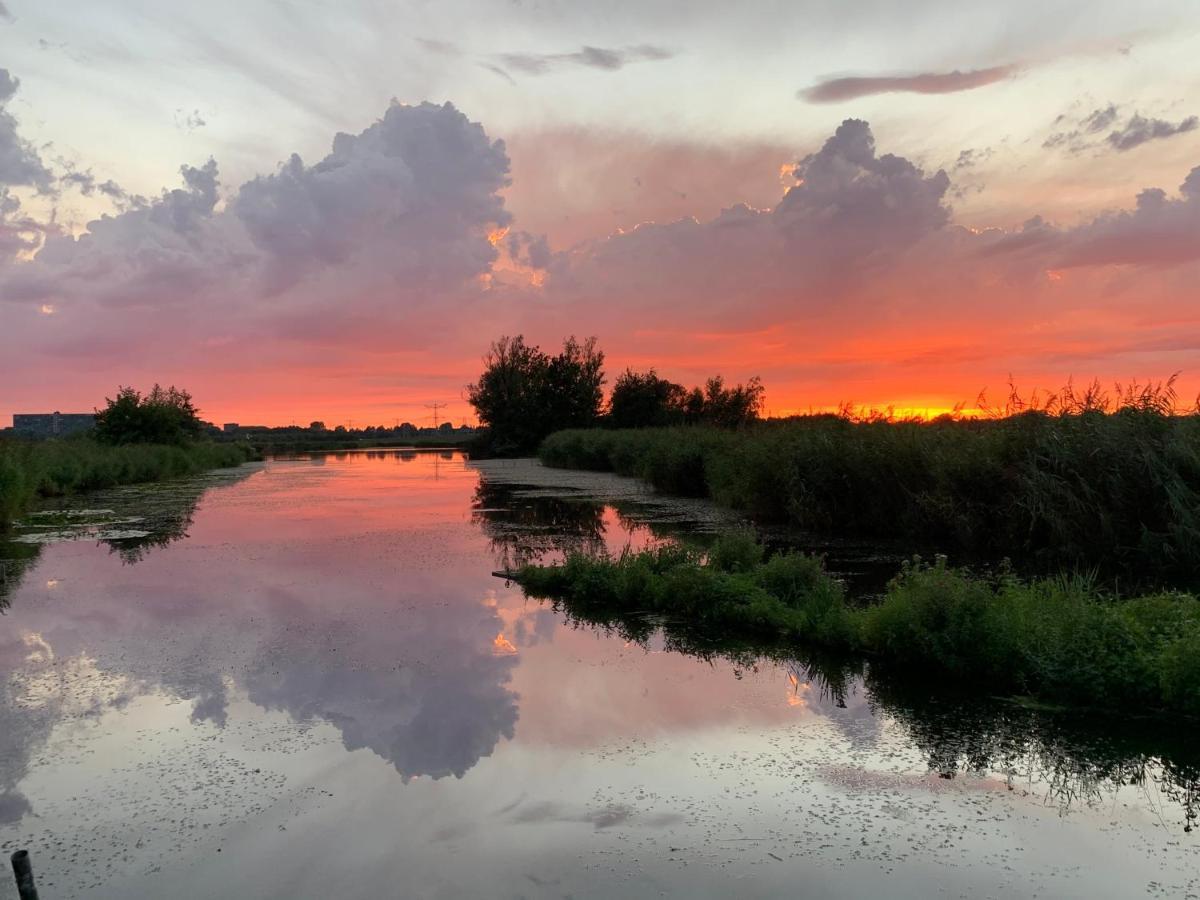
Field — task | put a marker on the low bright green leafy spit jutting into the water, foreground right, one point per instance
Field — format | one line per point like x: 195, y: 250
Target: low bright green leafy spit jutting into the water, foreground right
x: 1058, y: 640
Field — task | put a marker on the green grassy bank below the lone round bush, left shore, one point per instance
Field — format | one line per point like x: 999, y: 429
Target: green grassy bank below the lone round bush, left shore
x: 52, y: 469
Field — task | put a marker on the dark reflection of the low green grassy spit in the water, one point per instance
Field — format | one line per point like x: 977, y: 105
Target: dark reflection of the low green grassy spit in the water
x: 1076, y: 759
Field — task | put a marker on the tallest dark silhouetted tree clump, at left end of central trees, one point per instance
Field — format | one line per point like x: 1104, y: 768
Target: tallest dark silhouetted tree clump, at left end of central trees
x: 525, y: 394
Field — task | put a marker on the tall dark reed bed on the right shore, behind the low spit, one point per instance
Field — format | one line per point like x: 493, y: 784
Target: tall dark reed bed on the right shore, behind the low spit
x: 1120, y: 490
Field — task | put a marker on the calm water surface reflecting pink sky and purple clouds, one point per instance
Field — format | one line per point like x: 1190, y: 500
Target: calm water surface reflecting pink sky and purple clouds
x: 303, y: 681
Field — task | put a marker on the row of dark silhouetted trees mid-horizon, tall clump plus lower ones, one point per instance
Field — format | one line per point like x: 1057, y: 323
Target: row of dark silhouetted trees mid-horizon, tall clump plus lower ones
x: 525, y: 394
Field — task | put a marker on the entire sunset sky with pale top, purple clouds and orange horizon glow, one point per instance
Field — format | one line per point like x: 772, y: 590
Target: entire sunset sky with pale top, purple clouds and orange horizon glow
x: 319, y: 209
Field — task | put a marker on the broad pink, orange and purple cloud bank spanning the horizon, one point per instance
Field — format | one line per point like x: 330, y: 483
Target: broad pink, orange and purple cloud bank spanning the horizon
x: 370, y: 283
